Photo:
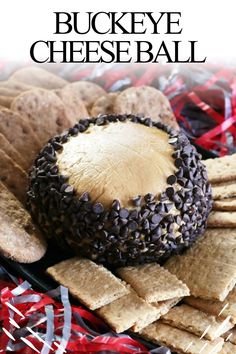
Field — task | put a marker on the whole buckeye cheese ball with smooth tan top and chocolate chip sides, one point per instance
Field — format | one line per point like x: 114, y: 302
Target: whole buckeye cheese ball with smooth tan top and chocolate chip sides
x: 120, y: 190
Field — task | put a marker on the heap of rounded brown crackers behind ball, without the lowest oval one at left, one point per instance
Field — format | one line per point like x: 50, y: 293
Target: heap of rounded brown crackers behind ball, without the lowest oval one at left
x: 36, y: 105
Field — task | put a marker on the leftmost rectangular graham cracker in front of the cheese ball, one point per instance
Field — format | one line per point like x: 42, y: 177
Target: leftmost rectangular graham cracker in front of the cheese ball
x: 88, y: 282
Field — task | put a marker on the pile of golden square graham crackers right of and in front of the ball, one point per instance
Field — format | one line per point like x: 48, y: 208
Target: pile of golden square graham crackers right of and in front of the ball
x: 155, y: 301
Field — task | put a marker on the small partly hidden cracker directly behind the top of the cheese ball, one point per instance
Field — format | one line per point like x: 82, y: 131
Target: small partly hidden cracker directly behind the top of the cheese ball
x: 104, y: 104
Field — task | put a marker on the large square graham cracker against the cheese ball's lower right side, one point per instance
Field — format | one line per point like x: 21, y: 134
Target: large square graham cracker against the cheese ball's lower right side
x: 206, y: 278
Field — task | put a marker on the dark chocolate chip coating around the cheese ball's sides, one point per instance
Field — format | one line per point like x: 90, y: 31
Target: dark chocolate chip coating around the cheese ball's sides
x: 151, y: 230
